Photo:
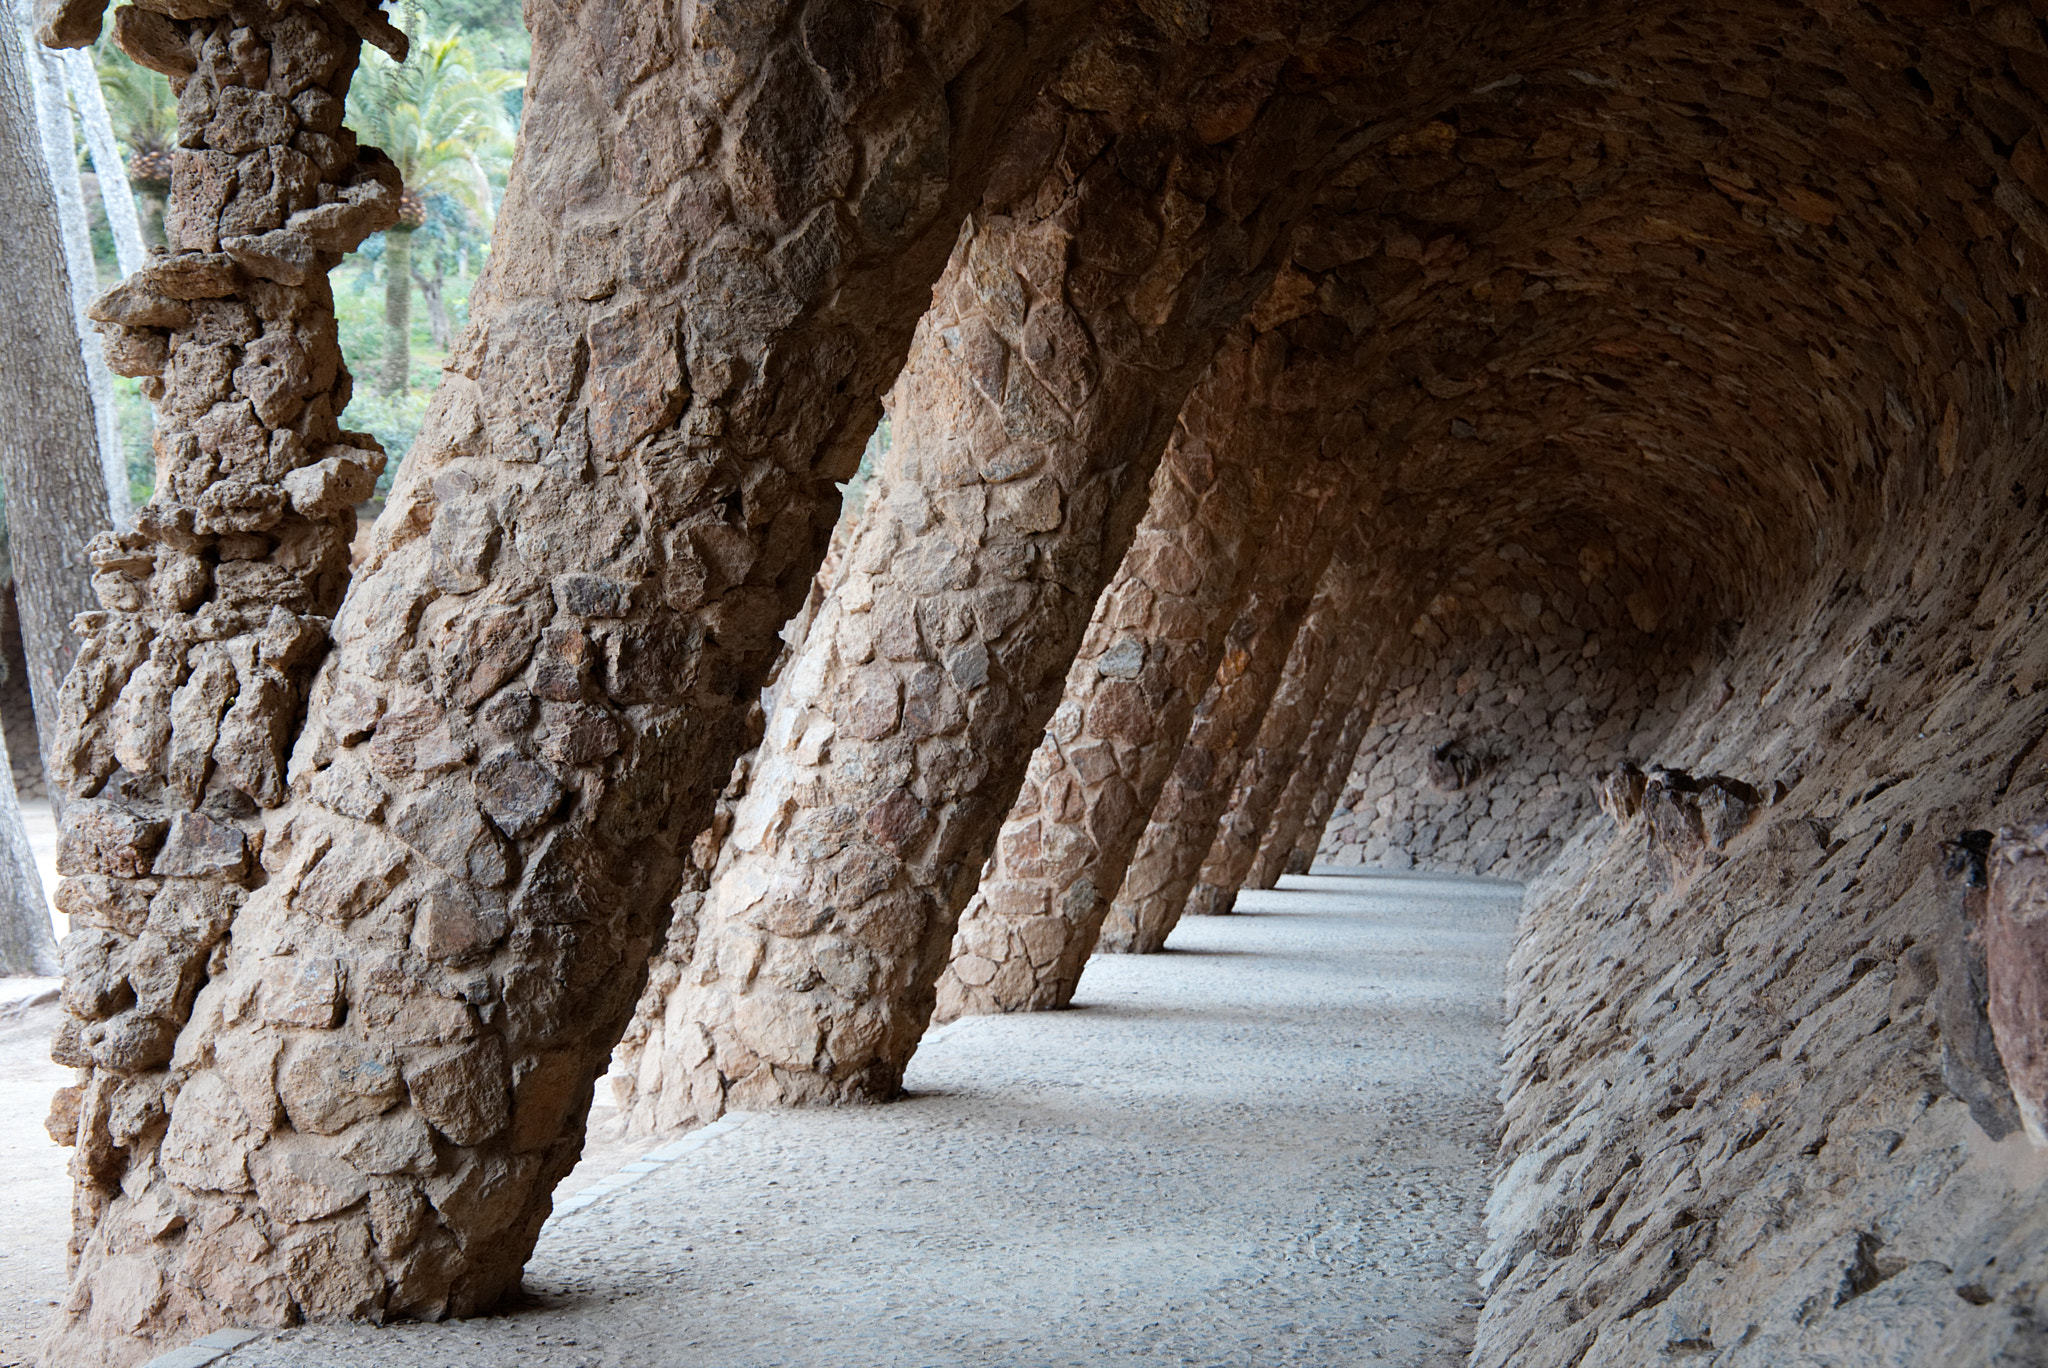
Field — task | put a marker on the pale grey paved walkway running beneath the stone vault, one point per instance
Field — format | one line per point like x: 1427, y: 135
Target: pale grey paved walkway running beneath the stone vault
x: 1269, y: 1146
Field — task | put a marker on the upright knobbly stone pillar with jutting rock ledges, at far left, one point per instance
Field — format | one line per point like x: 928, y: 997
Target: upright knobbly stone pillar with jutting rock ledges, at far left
x: 214, y: 607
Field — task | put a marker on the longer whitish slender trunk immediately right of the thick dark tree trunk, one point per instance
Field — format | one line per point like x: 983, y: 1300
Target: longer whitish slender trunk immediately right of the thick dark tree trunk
x: 83, y: 275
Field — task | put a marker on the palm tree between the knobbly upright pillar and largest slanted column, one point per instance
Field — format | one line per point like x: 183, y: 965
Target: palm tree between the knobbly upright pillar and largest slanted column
x: 437, y: 118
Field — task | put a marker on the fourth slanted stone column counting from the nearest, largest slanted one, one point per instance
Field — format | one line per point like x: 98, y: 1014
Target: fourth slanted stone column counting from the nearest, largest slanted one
x: 1185, y: 820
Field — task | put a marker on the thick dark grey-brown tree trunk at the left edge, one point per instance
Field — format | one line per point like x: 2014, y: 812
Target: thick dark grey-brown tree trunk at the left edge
x: 50, y: 456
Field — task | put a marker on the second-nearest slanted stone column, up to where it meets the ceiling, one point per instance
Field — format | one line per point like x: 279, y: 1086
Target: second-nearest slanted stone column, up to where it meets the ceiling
x: 1177, y: 216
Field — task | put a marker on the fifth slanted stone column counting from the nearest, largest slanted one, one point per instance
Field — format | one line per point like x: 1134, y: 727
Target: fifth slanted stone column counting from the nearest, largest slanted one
x: 1332, y: 654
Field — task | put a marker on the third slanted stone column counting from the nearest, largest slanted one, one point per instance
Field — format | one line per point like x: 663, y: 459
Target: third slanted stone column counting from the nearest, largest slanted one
x: 1134, y: 689
